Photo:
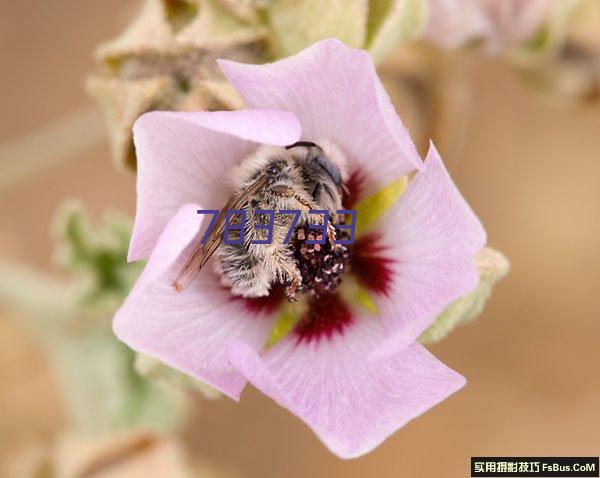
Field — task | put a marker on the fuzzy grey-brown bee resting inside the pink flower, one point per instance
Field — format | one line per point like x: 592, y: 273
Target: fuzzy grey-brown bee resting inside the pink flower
x: 304, y: 177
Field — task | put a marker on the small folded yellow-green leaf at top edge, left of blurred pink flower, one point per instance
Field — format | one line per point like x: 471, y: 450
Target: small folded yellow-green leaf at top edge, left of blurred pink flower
x: 392, y: 22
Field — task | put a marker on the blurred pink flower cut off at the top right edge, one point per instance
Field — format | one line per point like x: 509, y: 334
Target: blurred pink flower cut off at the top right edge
x: 498, y: 23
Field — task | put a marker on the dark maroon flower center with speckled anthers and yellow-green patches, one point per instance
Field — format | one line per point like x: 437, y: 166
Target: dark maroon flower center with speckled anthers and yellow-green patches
x: 326, y: 311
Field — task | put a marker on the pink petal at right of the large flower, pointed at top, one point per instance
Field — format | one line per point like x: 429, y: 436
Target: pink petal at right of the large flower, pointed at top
x: 433, y: 236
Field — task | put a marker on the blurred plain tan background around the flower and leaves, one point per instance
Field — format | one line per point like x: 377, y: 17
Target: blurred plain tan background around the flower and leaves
x: 530, y: 168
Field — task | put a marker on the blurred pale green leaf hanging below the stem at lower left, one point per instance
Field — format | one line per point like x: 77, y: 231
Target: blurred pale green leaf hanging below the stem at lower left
x: 103, y: 391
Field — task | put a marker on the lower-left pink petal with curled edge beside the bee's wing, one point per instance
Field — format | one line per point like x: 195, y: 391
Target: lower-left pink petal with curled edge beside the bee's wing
x: 187, y: 330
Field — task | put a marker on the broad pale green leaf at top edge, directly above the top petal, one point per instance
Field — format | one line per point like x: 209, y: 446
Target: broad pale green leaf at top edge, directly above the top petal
x: 297, y: 24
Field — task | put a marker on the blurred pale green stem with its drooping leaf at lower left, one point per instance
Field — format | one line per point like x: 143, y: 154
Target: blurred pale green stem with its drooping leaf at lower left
x: 102, y: 390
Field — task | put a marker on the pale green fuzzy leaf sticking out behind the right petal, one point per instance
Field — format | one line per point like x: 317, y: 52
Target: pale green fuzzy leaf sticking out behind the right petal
x: 492, y: 266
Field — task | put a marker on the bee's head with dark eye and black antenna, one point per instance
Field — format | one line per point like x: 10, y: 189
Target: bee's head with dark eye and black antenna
x: 322, y: 177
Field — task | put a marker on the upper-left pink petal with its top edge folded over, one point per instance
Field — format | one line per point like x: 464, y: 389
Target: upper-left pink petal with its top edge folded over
x: 183, y: 158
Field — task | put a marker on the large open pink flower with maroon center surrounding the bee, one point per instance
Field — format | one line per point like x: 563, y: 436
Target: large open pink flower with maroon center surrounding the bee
x: 349, y: 366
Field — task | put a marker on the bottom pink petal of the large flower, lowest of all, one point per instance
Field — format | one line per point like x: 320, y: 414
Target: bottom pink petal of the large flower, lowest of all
x: 350, y: 403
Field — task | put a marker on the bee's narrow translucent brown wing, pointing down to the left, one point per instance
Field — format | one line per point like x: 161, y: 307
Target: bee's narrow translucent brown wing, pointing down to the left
x: 203, y: 252
